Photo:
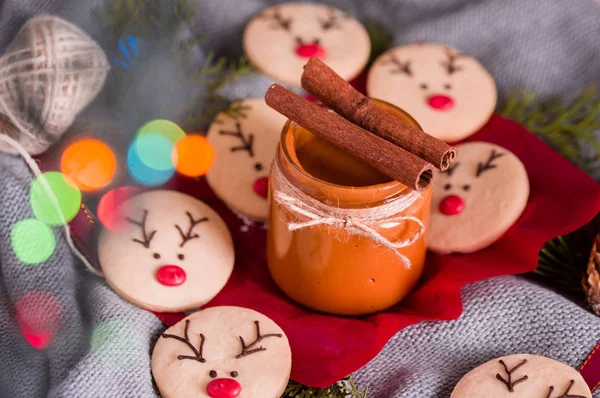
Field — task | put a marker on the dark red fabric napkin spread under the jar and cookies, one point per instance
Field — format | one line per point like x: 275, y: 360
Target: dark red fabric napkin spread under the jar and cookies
x: 327, y: 348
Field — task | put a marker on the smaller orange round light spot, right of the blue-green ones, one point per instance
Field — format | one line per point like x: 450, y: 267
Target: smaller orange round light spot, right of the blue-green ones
x: 193, y: 156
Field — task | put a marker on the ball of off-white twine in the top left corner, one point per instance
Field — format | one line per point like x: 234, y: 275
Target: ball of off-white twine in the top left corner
x: 48, y: 74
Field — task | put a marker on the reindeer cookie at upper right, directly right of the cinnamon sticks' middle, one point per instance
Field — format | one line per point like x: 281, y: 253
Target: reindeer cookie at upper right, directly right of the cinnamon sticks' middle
x: 450, y: 94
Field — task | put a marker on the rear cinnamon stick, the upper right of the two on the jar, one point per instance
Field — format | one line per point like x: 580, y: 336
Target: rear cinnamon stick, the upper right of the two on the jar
x: 329, y: 87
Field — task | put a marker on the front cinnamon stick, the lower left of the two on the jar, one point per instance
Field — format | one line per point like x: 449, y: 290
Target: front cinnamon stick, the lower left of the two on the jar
x: 378, y: 153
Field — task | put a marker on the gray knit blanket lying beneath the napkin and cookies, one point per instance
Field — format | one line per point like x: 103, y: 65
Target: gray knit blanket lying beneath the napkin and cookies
x: 550, y: 46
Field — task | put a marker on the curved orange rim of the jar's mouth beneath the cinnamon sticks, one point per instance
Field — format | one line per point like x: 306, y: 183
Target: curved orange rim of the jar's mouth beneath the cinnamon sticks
x: 397, y: 187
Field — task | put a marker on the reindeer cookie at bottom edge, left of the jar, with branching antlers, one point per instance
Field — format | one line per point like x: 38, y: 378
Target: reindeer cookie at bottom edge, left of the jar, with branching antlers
x: 222, y: 352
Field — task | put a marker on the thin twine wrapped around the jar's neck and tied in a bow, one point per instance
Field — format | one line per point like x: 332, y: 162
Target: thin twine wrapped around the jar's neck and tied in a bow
x: 361, y: 222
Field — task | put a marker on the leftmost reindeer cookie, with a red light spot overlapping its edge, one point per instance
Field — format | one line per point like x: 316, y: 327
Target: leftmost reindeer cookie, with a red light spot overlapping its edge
x: 170, y: 252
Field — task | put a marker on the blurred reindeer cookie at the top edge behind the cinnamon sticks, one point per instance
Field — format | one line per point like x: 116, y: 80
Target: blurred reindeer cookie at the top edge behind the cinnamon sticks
x: 281, y: 39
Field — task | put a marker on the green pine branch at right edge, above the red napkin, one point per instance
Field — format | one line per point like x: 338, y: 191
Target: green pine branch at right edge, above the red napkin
x: 571, y: 128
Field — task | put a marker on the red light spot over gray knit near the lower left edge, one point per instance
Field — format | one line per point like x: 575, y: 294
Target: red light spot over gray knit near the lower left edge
x: 39, y: 317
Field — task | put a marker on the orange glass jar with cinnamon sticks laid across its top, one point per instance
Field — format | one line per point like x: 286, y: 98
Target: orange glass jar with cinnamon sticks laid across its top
x: 327, y: 268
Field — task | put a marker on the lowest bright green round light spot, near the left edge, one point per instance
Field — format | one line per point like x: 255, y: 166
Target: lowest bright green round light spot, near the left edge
x: 32, y: 241
